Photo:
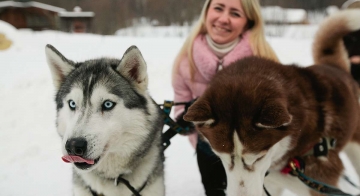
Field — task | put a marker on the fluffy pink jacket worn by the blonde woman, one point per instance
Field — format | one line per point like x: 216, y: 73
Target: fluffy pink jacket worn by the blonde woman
x: 207, y: 65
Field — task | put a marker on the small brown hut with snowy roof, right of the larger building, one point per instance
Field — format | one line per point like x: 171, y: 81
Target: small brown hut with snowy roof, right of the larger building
x: 76, y: 21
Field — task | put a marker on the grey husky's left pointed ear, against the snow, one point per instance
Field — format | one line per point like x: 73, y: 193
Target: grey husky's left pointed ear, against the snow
x: 60, y: 67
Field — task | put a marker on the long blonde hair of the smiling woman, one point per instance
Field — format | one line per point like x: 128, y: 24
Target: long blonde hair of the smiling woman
x: 259, y: 45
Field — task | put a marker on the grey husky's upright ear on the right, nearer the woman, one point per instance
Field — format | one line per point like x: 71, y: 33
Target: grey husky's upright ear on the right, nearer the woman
x: 133, y: 67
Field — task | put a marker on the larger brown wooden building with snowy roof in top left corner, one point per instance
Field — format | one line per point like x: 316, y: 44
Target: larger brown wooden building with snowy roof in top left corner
x: 31, y: 14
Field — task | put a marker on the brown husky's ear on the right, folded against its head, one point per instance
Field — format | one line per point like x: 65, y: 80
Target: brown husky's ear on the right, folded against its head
x: 274, y: 115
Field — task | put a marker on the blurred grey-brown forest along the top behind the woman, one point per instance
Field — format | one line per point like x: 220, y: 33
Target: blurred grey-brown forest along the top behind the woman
x: 112, y: 15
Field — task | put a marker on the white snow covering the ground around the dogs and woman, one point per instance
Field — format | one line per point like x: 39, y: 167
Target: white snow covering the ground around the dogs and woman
x: 30, y: 146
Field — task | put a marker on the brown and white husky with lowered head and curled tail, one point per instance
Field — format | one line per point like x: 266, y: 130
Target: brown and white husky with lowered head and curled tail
x: 258, y: 114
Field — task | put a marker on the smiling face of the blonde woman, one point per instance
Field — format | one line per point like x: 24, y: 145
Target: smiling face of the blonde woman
x: 225, y: 20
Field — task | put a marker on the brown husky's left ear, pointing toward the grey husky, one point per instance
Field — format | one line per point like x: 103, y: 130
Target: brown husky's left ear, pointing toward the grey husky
x: 199, y: 113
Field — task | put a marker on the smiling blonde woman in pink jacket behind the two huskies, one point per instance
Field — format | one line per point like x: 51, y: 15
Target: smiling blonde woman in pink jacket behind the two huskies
x: 227, y: 30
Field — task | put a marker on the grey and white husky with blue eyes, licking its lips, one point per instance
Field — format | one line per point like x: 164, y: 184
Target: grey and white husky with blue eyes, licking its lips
x: 110, y: 127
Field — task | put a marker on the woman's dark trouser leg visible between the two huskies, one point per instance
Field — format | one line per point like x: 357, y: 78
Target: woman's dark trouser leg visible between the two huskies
x: 212, y: 171
